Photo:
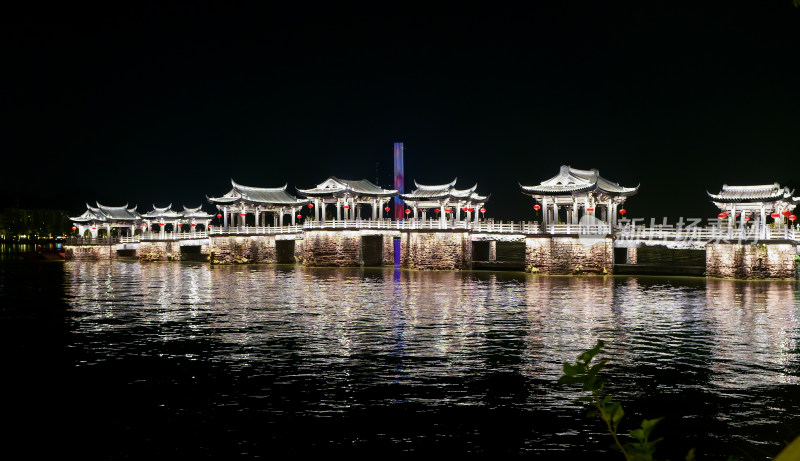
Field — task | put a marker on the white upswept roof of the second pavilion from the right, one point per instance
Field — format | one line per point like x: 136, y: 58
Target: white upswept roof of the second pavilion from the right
x: 572, y: 180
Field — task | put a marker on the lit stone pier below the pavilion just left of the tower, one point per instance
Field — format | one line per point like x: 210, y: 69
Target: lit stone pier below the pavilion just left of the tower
x: 332, y: 248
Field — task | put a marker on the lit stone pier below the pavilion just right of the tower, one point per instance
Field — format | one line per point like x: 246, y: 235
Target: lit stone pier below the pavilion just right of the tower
x: 436, y: 250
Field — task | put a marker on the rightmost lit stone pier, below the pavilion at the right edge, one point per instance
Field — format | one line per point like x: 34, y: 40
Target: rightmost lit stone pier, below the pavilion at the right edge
x: 751, y: 260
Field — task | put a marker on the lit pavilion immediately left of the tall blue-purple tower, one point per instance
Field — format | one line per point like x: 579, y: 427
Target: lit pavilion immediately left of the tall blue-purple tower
x: 348, y: 195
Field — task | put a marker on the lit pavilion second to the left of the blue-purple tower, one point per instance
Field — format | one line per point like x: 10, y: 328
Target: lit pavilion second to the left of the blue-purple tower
x: 258, y: 201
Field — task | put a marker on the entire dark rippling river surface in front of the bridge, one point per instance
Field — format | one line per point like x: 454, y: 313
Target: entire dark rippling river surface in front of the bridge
x: 127, y: 360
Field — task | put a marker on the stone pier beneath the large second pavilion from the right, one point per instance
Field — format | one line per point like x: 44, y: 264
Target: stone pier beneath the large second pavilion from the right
x: 568, y: 255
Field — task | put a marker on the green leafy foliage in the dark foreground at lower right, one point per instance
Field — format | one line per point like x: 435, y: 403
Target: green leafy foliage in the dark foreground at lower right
x: 639, y: 447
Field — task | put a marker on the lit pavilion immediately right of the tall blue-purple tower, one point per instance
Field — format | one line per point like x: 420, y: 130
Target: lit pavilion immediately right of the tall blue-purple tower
x: 445, y: 198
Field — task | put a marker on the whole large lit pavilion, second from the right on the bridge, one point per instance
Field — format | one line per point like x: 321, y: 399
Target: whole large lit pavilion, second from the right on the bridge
x: 579, y: 193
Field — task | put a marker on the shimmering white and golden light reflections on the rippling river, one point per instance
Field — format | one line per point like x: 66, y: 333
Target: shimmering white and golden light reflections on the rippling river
x: 354, y: 340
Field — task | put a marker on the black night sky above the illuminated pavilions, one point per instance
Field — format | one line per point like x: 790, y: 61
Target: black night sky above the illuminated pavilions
x: 167, y: 106
